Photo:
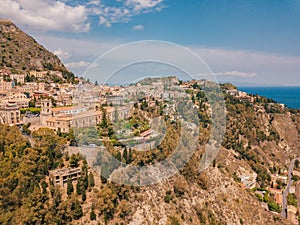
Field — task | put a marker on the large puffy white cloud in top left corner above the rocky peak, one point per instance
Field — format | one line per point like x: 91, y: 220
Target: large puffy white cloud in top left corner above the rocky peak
x: 46, y: 15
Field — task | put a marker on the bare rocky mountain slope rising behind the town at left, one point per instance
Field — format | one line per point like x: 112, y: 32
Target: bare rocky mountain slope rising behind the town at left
x: 20, y: 52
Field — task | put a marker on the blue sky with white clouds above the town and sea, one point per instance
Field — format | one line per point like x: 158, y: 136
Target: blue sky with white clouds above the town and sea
x: 243, y: 42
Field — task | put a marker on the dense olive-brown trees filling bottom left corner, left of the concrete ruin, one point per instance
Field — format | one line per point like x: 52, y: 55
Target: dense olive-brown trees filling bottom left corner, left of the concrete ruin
x: 22, y: 169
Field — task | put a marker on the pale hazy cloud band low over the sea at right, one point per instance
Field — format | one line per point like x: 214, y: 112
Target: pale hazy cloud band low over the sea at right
x: 269, y: 68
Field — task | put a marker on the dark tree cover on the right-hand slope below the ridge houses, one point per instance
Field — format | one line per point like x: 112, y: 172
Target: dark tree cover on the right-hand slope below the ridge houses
x: 245, y: 130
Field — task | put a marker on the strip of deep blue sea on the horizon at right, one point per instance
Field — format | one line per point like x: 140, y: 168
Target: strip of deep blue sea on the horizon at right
x: 290, y: 96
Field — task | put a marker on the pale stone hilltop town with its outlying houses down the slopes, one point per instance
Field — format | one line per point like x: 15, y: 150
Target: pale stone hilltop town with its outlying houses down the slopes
x: 33, y: 101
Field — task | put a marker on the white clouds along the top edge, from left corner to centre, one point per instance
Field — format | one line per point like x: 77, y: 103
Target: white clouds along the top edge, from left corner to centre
x: 61, y: 15
